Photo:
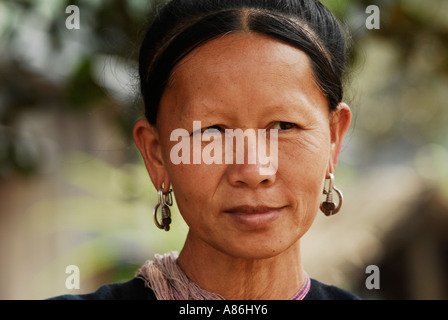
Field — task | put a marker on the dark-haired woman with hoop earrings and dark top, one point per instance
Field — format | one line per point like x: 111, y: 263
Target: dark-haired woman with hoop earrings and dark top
x: 270, y: 70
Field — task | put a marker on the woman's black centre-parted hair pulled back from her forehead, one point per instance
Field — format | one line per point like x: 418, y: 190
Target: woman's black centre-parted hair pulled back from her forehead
x: 183, y: 25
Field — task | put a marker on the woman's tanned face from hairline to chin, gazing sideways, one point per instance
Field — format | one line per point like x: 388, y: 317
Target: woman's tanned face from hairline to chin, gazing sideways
x: 248, y: 81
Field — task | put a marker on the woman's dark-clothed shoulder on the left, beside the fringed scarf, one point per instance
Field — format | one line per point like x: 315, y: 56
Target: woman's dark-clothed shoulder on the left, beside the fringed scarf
x: 134, y: 289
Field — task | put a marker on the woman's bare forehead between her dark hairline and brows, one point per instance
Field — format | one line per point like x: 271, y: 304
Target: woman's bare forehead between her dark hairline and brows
x: 246, y: 68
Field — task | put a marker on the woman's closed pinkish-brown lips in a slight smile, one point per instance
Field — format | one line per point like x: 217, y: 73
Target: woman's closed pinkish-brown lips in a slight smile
x: 254, y: 216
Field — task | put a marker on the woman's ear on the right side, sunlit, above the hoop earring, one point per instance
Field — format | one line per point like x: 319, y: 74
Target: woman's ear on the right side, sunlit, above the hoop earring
x: 339, y: 123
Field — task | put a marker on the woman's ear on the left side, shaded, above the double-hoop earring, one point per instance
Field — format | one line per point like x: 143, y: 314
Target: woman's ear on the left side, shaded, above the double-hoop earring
x: 147, y: 139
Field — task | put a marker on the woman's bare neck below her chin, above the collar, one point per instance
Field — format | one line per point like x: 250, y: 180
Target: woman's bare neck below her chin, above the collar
x: 278, y: 277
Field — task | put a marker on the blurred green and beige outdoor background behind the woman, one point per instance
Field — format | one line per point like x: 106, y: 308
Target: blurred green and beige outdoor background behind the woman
x: 74, y: 191
